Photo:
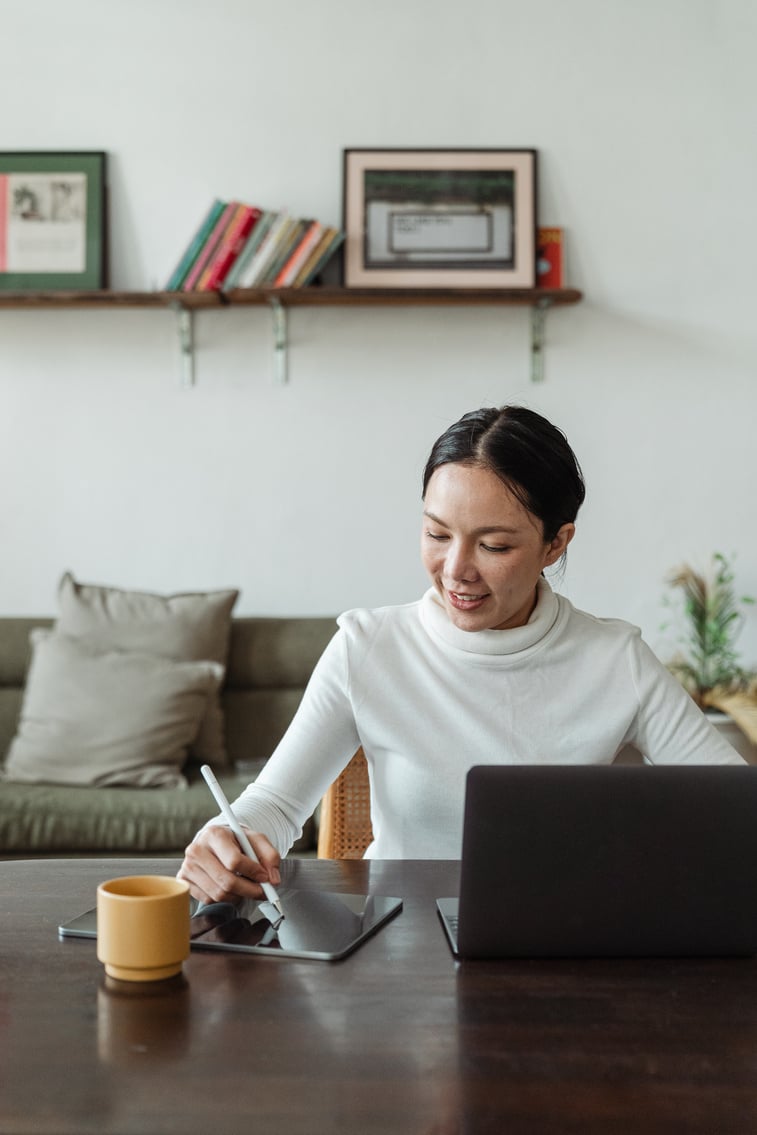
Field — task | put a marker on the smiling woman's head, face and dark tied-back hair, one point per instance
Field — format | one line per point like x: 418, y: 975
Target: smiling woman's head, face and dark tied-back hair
x: 502, y: 491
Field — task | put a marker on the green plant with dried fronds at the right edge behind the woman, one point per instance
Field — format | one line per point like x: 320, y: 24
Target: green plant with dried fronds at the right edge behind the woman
x: 708, y: 663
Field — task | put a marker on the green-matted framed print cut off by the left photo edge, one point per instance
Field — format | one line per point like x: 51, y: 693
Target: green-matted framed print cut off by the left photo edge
x: 53, y: 221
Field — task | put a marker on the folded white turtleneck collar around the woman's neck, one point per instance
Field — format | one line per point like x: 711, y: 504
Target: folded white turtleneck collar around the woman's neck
x: 543, y: 619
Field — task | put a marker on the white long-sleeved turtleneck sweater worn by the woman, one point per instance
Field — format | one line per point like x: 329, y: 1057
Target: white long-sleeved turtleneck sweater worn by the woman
x: 427, y: 701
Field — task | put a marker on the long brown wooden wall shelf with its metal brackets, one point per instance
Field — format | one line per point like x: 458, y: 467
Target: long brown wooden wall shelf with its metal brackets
x: 279, y: 300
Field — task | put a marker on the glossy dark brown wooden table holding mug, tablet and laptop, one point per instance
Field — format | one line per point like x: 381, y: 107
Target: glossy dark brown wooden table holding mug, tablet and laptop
x: 396, y: 1039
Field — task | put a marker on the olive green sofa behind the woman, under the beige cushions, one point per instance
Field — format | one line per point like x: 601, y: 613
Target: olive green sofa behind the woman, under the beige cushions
x: 270, y: 663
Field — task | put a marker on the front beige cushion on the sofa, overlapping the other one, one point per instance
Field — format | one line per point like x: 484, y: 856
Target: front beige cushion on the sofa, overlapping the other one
x: 107, y: 718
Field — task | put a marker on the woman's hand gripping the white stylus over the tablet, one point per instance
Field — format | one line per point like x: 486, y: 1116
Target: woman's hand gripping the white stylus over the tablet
x: 218, y: 871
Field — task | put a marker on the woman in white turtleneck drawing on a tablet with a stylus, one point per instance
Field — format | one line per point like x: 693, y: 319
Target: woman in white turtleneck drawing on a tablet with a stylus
x: 489, y: 667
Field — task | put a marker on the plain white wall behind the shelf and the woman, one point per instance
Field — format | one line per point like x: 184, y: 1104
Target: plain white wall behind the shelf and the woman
x: 307, y: 497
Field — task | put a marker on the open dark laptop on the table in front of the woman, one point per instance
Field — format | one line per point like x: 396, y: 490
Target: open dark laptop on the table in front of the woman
x: 607, y: 862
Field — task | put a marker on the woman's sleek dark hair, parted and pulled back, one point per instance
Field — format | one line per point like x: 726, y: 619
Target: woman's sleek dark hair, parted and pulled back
x: 529, y: 455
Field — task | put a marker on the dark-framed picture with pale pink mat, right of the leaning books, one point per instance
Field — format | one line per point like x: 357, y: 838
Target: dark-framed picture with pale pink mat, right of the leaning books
x: 440, y: 218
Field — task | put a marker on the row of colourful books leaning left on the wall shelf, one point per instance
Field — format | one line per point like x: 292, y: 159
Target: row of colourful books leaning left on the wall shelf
x: 239, y: 246
